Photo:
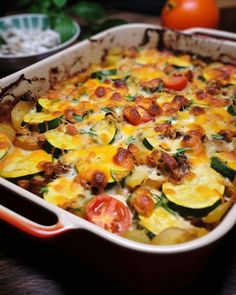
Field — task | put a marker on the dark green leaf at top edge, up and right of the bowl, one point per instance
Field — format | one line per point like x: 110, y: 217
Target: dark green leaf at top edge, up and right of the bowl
x: 90, y: 11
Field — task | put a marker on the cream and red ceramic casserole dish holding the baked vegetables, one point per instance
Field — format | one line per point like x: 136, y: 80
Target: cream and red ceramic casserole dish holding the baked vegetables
x: 35, y: 80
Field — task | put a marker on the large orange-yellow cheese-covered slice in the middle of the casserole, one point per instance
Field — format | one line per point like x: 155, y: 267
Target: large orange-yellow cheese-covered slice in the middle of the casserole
x: 96, y: 158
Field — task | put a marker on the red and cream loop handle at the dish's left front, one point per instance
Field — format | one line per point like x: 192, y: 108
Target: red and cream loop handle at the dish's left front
x: 34, y: 229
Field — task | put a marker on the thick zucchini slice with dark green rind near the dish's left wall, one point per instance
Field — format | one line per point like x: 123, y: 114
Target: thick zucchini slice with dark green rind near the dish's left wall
x: 42, y: 122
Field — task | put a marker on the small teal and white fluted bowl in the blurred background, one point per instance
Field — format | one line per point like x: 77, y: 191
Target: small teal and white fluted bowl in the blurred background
x: 27, y: 22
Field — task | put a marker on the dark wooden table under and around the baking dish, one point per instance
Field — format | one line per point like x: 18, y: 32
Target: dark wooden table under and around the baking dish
x: 29, y: 266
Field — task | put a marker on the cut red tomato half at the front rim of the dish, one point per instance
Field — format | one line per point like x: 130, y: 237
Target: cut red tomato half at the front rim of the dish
x: 108, y: 213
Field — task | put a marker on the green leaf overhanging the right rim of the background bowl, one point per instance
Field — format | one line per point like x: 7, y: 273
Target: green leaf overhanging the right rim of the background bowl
x: 64, y: 26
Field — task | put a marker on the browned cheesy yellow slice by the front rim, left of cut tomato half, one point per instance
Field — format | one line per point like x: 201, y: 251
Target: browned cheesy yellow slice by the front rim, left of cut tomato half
x: 63, y: 192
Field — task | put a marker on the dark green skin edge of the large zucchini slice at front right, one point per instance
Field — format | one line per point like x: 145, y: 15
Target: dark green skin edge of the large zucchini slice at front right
x: 188, y: 212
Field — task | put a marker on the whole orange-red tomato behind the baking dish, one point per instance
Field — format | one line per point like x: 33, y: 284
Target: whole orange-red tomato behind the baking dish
x: 183, y: 14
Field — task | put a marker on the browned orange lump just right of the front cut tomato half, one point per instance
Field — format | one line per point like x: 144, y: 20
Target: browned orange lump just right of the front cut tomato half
x: 142, y: 202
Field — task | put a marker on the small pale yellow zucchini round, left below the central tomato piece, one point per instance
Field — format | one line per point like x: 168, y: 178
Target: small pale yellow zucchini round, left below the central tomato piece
x: 105, y: 132
